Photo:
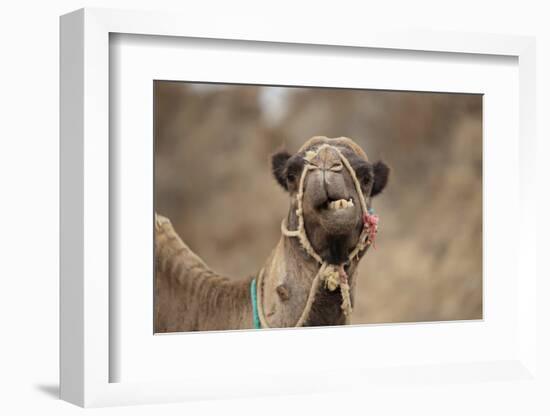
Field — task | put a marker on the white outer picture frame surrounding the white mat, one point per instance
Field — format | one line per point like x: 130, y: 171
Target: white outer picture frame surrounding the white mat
x: 86, y: 355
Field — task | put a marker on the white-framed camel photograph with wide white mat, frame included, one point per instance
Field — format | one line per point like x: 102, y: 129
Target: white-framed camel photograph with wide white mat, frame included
x: 268, y: 212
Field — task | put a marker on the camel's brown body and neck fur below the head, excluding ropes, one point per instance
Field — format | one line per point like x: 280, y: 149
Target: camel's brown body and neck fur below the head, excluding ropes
x: 191, y: 297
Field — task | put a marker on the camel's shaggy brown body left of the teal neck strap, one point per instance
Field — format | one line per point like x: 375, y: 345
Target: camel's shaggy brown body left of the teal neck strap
x: 189, y: 295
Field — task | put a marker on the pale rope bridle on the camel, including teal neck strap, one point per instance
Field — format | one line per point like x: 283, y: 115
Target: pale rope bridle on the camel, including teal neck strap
x: 333, y: 276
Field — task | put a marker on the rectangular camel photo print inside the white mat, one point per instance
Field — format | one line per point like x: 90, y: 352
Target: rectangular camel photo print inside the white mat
x: 298, y: 227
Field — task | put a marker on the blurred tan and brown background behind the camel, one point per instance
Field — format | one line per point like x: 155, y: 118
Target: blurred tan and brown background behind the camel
x: 213, y: 180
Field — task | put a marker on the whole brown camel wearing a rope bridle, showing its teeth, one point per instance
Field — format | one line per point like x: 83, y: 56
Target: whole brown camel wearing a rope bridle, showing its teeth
x: 310, y: 276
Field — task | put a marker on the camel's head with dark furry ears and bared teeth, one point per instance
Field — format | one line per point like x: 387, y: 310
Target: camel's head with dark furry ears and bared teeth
x: 331, y: 208
